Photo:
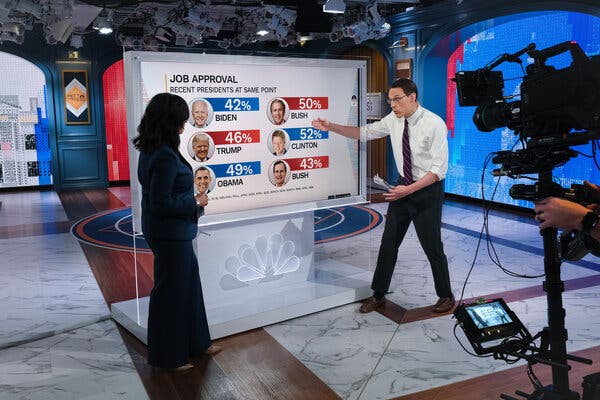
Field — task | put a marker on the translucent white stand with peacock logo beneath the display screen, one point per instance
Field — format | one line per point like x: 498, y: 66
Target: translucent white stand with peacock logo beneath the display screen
x: 259, y: 272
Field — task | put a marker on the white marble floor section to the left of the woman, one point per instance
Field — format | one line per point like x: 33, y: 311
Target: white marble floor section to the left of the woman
x: 56, y: 337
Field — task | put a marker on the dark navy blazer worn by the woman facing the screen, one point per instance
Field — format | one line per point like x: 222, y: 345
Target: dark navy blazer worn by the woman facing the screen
x: 169, y: 209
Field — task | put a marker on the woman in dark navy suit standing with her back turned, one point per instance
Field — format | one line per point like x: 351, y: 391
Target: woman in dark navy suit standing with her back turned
x: 177, y: 325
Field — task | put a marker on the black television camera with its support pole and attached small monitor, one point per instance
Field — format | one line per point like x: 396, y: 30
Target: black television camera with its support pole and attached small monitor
x: 557, y: 109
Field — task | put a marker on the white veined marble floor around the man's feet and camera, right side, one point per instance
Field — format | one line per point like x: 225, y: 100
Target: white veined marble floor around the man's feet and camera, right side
x: 398, y: 359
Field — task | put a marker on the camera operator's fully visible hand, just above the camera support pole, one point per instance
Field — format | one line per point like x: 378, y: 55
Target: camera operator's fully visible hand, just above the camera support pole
x: 553, y: 212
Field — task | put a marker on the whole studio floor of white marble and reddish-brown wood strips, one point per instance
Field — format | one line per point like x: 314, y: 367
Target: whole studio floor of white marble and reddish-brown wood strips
x: 57, y: 340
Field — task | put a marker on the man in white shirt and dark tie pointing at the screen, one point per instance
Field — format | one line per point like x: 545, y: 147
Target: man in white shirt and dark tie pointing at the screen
x: 419, y: 193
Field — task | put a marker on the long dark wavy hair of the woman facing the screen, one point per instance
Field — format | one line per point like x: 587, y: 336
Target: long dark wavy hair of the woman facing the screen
x: 164, y: 116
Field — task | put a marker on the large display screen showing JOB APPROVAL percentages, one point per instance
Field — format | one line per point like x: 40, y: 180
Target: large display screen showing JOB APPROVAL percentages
x: 249, y: 138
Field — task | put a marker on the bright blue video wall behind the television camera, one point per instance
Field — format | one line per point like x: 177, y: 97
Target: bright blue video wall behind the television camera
x: 469, y: 147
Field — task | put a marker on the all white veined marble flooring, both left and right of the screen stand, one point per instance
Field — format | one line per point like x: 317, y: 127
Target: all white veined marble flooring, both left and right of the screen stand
x: 57, y: 343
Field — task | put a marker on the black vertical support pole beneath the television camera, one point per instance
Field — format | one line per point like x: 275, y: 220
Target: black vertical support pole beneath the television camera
x: 554, y: 336
